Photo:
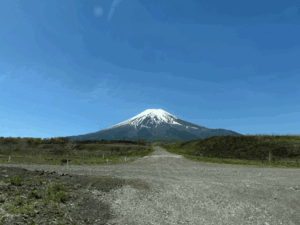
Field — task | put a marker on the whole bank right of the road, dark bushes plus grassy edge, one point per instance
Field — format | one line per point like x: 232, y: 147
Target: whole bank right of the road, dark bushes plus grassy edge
x: 257, y: 150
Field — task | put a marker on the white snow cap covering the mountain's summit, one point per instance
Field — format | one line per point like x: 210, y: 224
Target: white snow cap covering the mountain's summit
x: 156, y: 116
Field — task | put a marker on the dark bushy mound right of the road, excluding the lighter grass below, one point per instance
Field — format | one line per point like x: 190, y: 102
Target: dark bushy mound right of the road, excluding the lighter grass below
x: 245, y: 147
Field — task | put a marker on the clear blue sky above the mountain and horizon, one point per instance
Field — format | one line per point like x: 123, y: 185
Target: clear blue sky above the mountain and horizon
x: 77, y: 67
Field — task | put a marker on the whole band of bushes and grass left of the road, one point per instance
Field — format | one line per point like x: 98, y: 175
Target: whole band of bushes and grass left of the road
x: 60, y: 151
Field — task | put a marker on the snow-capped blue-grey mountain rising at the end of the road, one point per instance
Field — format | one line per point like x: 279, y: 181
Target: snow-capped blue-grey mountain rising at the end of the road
x: 154, y: 125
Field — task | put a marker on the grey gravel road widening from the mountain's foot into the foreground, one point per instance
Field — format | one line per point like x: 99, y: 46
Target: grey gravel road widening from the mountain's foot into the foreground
x: 193, y: 193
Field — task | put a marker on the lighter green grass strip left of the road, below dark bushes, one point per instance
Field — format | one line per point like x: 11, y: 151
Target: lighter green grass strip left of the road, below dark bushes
x: 88, y: 156
